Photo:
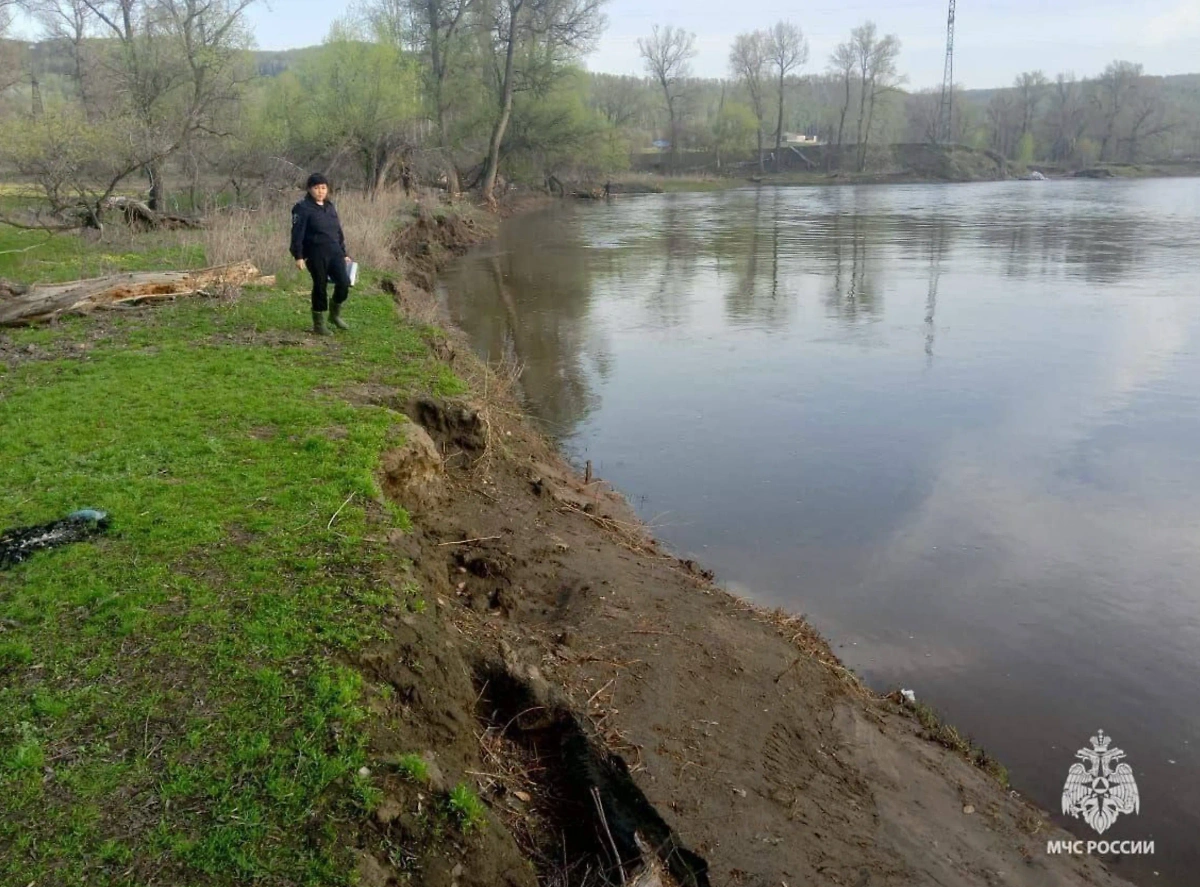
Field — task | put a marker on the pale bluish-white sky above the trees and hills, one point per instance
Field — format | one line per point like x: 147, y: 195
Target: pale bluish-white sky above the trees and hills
x: 997, y: 39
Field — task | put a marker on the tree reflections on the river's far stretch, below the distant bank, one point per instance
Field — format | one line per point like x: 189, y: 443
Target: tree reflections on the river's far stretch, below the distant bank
x: 652, y: 262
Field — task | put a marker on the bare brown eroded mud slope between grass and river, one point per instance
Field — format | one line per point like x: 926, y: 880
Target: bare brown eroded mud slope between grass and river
x: 626, y: 718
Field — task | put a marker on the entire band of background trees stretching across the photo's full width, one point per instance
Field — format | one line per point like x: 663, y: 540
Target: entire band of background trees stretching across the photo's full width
x: 169, y: 97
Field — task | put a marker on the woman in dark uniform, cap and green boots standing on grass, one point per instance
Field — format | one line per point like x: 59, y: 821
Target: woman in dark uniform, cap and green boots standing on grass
x: 319, y: 244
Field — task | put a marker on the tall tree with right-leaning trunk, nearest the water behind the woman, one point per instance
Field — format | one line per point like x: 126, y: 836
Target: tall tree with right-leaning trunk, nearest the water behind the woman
x: 551, y: 33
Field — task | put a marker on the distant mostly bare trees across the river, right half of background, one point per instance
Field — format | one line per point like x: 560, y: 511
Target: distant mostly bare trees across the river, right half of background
x: 859, y: 100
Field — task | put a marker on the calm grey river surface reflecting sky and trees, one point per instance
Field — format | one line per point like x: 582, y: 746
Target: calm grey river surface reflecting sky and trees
x: 957, y: 427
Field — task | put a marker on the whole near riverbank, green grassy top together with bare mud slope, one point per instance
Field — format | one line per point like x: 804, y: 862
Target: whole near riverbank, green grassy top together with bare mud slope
x: 357, y: 620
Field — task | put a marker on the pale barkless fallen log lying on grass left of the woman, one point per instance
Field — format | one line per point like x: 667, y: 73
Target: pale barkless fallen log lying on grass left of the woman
x: 38, y: 304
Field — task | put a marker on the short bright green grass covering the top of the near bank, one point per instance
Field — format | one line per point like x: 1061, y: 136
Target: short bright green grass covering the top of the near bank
x: 173, y: 702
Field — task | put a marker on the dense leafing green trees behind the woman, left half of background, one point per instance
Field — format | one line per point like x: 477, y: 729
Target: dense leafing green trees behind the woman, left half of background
x: 167, y: 93
